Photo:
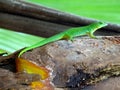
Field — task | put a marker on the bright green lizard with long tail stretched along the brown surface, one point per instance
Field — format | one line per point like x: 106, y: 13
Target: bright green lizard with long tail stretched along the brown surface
x: 68, y: 34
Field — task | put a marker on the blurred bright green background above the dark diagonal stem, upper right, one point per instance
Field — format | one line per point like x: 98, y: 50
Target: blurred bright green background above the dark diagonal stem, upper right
x: 106, y: 10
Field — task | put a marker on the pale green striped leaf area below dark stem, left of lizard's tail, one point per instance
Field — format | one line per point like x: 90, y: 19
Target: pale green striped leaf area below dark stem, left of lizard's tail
x: 12, y: 41
